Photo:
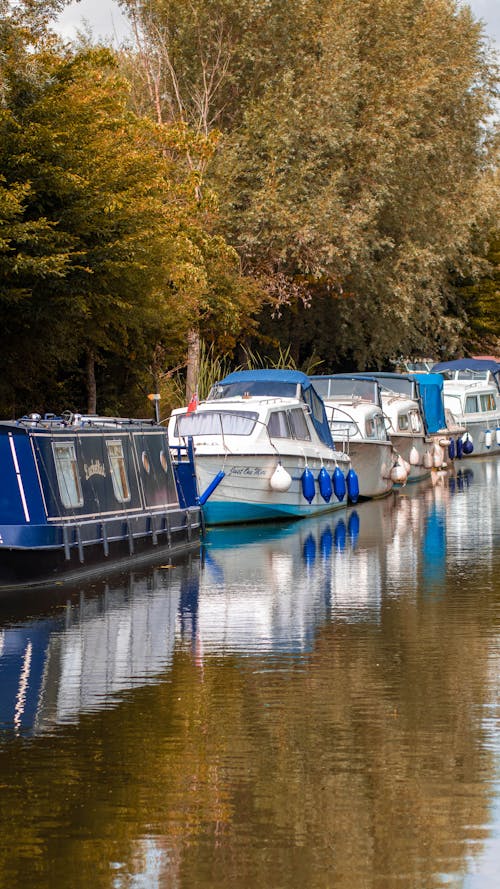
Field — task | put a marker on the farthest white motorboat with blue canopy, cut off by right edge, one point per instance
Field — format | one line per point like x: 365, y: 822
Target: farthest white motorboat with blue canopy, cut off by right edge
x: 472, y: 393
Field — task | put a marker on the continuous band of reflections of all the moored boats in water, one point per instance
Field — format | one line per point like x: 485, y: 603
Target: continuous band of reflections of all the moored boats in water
x: 257, y: 589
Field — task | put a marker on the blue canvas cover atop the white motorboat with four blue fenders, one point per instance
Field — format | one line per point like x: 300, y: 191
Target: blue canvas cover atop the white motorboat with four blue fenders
x: 282, y: 383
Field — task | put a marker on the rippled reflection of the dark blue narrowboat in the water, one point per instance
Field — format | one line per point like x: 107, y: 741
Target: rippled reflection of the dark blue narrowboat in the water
x: 54, y: 668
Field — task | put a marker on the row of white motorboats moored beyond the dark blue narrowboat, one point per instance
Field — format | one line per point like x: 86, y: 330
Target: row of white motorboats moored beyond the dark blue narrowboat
x: 271, y: 444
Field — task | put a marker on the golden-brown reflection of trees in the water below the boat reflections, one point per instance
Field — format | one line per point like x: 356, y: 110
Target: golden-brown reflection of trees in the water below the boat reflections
x: 355, y: 766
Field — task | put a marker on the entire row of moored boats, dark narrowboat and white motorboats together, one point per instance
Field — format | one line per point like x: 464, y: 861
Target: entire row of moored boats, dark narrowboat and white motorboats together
x: 79, y: 491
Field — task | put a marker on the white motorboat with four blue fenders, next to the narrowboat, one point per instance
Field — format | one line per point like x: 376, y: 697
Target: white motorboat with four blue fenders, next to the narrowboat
x: 262, y: 450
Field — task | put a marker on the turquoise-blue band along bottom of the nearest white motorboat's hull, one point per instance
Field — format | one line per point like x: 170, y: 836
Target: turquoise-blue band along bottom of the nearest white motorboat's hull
x: 224, y: 513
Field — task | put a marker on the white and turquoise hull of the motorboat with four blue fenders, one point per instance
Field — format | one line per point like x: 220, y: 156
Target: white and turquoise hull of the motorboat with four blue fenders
x: 244, y: 494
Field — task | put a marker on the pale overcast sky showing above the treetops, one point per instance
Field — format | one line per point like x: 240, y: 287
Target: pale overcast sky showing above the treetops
x: 106, y: 20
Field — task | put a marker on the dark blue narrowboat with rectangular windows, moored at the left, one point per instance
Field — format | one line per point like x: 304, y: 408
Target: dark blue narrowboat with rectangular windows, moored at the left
x: 77, y: 491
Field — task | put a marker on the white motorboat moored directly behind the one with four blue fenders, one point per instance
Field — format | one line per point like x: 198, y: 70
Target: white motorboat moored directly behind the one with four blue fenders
x: 354, y: 410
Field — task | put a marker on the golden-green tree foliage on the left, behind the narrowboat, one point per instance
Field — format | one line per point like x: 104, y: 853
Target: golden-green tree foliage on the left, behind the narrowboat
x: 104, y: 242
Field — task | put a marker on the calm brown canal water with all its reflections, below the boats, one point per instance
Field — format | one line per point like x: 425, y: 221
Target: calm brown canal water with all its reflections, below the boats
x: 310, y: 705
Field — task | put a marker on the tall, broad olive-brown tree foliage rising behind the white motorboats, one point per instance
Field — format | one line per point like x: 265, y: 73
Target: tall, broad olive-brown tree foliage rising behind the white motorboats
x: 352, y: 153
